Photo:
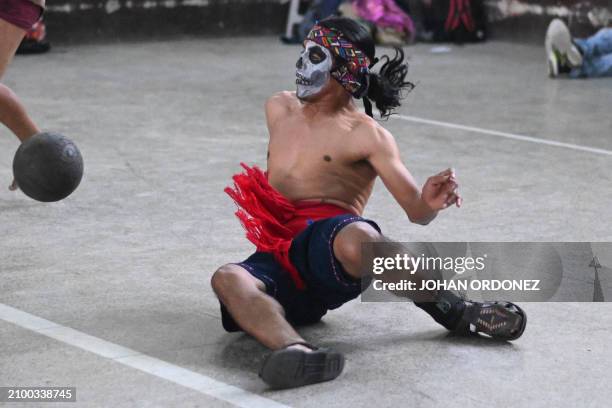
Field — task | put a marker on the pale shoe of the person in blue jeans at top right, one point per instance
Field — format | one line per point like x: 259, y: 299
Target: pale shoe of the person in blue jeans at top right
x: 561, y: 53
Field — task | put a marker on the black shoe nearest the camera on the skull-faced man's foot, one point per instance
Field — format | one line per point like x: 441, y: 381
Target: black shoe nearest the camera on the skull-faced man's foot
x: 300, y: 364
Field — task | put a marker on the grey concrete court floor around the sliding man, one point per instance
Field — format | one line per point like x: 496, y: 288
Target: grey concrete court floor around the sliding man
x: 163, y: 126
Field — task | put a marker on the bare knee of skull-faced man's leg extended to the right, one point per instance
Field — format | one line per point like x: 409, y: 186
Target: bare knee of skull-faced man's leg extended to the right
x: 347, y: 245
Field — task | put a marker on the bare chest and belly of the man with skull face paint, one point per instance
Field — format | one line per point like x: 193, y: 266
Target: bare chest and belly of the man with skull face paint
x: 320, y: 157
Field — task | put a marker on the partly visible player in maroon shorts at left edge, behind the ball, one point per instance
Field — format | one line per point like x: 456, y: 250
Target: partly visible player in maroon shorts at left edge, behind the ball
x: 16, y: 17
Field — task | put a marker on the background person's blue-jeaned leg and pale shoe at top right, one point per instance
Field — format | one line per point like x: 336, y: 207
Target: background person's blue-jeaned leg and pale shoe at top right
x: 578, y: 58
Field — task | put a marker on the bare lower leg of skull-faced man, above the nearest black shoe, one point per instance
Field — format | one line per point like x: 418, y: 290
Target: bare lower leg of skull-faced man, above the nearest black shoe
x: 257, y: 313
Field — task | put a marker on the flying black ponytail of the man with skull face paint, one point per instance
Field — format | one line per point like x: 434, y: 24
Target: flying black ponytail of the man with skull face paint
x: 386, y: 88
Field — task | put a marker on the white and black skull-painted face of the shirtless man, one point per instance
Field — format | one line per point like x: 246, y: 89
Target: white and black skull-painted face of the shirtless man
x: 313, y: 69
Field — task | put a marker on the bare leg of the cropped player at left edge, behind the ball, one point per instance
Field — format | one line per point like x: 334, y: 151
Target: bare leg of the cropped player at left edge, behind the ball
x: 12, y: 113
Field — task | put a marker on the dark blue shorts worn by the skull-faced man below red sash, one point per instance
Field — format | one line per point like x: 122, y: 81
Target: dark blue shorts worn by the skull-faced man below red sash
x: 328, y: 286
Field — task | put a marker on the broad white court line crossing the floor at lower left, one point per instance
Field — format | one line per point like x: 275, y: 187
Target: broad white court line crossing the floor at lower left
x: 137, y: 360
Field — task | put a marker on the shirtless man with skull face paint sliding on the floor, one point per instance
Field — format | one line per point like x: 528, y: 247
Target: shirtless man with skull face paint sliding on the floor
x: 304, y: 214
